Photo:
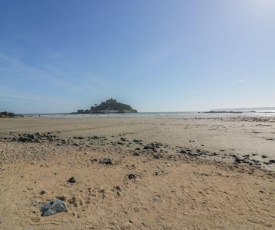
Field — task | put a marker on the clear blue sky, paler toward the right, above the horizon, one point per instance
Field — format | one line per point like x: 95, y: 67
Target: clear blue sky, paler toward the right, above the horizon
x: 57, y: 56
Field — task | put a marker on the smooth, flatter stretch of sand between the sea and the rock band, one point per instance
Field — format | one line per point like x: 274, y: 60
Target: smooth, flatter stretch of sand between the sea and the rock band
x: 241, y: 142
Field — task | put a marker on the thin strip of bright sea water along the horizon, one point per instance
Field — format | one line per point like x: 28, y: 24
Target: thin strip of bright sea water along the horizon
x: 195, y: 115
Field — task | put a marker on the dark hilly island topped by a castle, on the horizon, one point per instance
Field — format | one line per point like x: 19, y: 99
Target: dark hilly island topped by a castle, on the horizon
x: 109, y: 106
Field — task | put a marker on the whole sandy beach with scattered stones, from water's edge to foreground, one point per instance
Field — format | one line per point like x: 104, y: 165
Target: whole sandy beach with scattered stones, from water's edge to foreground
x: 165, y: 173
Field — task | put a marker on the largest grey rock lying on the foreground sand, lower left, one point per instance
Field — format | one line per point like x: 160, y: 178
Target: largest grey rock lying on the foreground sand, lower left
x: 53, y: 207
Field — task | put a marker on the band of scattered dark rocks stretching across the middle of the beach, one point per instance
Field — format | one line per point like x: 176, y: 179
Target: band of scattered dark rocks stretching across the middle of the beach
x: 136, y: 147
